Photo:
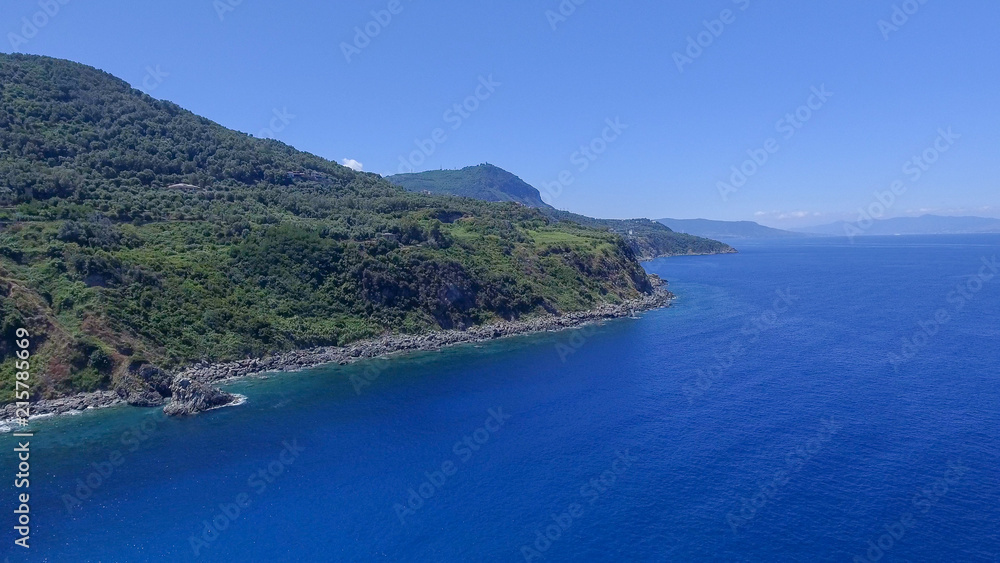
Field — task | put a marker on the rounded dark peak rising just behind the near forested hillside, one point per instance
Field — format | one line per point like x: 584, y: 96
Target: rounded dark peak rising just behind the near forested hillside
x: 484, y: 182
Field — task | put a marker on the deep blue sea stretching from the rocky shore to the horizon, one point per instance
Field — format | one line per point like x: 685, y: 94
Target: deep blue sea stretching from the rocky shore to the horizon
x: 738, y: 425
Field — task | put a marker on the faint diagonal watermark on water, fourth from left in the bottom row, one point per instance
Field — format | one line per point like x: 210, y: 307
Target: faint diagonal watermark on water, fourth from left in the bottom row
x: 553, y: 529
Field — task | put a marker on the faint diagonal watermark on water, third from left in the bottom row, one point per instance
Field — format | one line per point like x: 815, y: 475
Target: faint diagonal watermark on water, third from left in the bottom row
x: 436, y: 478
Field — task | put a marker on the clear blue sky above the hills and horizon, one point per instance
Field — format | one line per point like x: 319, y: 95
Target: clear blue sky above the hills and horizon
x: 549, y: 83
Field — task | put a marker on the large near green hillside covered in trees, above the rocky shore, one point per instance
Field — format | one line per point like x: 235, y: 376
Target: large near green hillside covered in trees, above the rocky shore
x: 134, y: 233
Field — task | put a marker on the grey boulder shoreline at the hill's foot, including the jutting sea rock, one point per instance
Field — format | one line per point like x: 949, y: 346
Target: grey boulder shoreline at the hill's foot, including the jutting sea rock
x: 192, y: 389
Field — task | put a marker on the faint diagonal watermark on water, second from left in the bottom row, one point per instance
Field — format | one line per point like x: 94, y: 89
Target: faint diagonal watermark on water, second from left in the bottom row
x: 257, y: 483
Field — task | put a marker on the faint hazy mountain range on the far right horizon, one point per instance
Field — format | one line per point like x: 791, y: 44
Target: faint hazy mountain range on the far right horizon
x: 924, y: 225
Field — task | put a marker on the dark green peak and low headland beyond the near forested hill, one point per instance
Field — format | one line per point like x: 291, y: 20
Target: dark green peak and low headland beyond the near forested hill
x: 647, y: 238
